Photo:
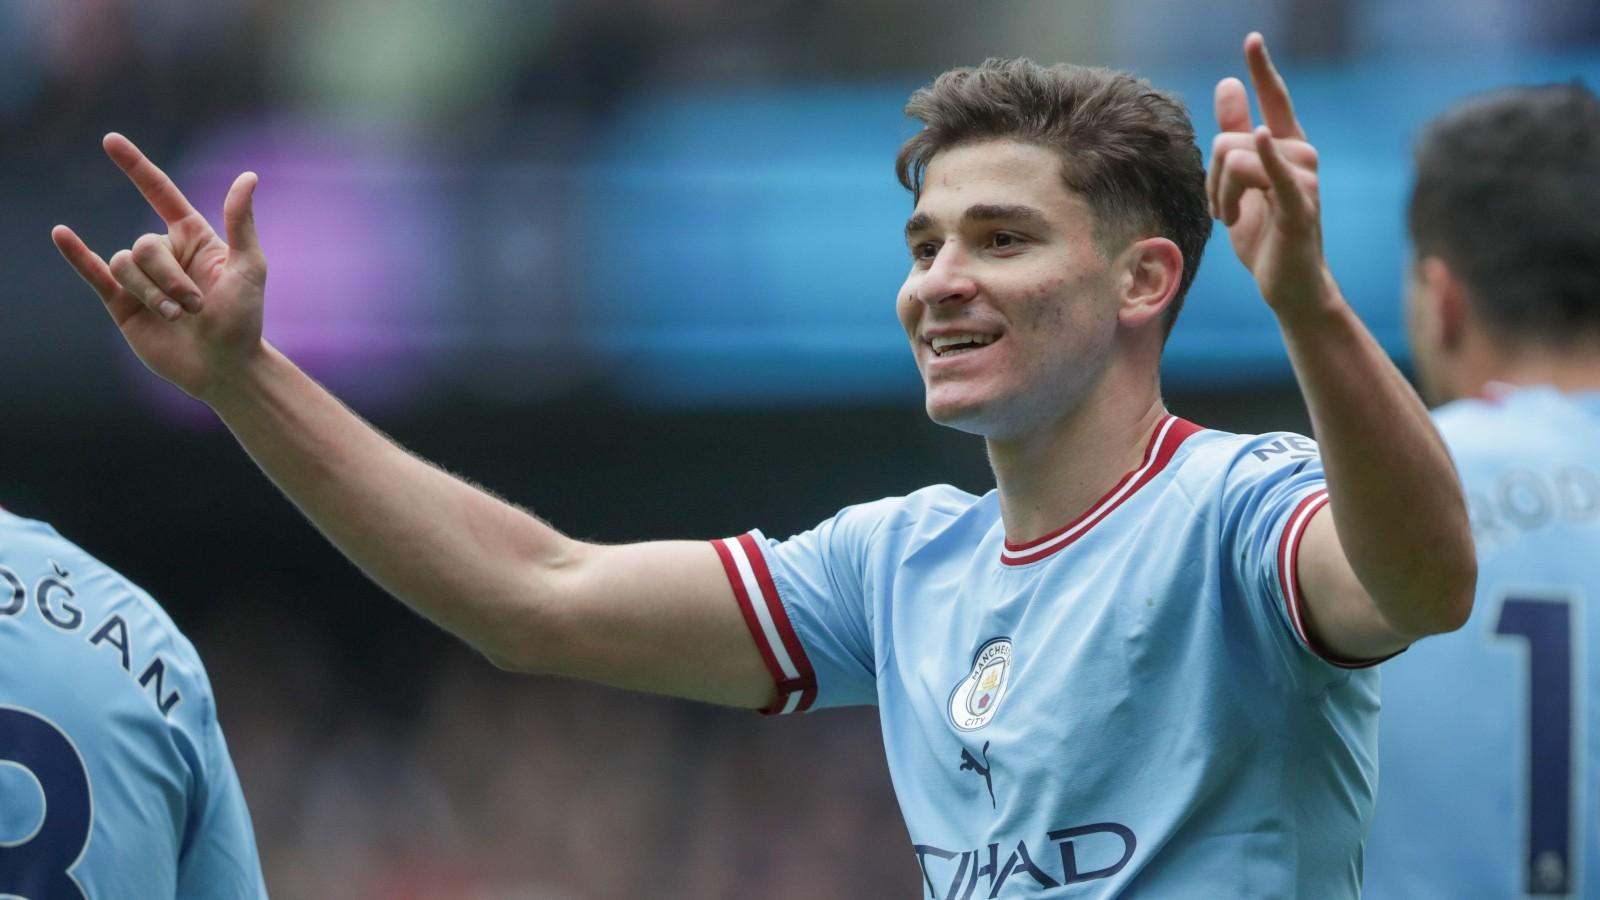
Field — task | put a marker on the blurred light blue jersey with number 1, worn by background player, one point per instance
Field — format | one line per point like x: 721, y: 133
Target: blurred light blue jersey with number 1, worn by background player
x: 1492, y: 736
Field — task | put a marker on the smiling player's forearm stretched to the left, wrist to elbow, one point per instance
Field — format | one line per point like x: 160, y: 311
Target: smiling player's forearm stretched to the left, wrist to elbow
x: 446, y: 548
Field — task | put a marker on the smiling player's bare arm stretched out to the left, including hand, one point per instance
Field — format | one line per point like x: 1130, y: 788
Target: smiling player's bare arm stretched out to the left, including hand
x: 657, y: 617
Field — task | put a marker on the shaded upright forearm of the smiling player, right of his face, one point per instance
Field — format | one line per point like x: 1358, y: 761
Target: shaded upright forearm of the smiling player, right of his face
x: 1394, y: 494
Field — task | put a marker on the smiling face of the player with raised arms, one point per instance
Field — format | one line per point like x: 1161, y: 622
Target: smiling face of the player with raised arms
x: 1010, y: 305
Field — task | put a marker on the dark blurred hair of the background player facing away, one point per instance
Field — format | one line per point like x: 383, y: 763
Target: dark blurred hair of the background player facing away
x: 1508, y: 195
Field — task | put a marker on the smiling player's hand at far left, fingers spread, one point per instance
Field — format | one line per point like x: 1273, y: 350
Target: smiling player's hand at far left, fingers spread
x: 188, y: 303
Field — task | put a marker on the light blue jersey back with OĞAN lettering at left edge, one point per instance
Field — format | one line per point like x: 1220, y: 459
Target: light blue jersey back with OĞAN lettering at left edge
x: 114, y: 776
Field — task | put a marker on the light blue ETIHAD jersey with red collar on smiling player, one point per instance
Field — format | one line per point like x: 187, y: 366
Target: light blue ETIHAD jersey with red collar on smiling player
x: 1127, y: 707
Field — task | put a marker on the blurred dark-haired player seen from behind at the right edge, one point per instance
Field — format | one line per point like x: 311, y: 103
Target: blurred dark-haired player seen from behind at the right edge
x: 1490, y: 785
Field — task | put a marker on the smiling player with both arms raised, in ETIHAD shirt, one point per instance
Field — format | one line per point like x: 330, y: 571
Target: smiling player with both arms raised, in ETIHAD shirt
x: 1137, y: 665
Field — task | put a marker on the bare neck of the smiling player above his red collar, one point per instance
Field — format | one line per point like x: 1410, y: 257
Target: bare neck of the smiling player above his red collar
x: 1049, y: 478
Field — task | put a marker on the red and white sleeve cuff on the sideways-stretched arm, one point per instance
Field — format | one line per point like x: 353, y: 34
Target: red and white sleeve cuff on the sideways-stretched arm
x: 769, y: 624
